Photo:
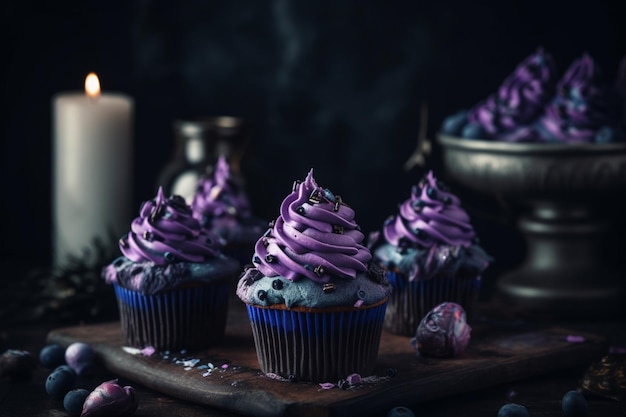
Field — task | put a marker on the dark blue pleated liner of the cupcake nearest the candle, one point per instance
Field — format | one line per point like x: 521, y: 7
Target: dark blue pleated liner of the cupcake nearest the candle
x: 185, y: 318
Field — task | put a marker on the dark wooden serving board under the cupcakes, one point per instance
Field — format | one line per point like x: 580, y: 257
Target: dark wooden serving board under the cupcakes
x: 498, y: 353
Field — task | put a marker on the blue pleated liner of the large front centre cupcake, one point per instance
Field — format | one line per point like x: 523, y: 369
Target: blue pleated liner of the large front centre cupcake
x: 317, y: 346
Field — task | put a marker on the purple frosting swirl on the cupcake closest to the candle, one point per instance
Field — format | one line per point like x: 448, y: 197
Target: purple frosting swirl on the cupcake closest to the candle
x: 166, y: 232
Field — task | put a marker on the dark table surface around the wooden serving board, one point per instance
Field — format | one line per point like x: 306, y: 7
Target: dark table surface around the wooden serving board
x: 541, y: 395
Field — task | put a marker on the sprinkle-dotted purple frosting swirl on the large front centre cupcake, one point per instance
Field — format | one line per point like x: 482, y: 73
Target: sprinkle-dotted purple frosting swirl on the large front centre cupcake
x: 315, y: 237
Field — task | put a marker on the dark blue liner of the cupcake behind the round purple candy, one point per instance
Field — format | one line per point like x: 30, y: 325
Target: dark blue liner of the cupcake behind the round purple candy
x: 409, y: 302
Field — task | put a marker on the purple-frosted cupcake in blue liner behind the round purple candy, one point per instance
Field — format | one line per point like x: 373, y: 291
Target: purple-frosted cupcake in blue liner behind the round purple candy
x: 430, y: 253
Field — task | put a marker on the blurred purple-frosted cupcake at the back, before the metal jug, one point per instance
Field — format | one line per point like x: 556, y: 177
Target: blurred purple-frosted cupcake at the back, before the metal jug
x: 221, y: 205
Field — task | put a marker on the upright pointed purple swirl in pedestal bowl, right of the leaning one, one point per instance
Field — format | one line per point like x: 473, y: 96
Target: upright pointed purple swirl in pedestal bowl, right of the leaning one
x: 581, y: 107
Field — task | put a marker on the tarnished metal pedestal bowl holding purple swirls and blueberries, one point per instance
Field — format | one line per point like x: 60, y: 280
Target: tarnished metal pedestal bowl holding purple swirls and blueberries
x: 567, y: 192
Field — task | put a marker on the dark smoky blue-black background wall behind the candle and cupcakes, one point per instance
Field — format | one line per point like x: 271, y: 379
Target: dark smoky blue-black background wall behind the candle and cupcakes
x: 326, y: 84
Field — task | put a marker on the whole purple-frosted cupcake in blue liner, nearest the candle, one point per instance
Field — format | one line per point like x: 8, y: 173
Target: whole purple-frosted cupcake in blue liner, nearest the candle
x: 172, y: 281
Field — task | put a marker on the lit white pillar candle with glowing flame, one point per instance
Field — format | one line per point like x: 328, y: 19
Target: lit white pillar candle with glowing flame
x: 92, y: 167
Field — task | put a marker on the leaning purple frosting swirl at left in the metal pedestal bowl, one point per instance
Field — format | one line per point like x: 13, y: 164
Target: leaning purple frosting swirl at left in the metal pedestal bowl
x: 508, y: 114
